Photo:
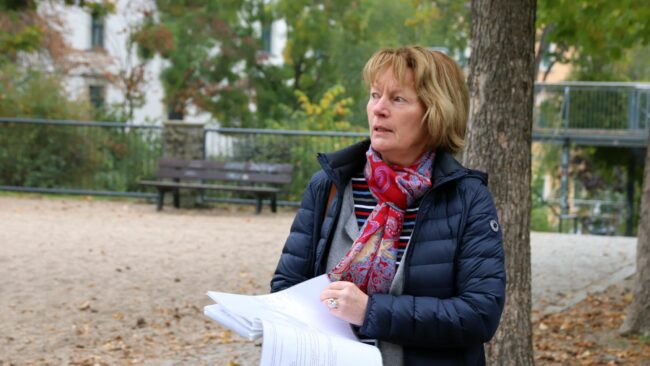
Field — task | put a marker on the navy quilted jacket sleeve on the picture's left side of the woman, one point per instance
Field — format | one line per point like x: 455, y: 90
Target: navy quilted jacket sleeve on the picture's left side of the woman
x: 295, y: 262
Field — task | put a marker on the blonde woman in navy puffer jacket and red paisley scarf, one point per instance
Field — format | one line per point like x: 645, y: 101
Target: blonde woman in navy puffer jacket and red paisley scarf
x: 410, y: 239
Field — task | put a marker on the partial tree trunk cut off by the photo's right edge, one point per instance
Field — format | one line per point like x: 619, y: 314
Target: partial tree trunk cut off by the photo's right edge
x: 638, y: 313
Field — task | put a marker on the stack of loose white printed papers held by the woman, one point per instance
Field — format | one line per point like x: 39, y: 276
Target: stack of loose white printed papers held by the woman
x: 297, y: 328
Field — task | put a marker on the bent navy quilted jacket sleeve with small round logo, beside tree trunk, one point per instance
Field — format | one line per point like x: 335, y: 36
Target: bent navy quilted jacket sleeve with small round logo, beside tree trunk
x: 467, y: 319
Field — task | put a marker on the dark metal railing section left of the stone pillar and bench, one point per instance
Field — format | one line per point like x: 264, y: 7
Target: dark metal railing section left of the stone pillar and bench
x: 75, y: 157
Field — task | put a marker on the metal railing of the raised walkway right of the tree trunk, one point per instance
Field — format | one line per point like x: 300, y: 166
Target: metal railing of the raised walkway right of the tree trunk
x: 592, y: 113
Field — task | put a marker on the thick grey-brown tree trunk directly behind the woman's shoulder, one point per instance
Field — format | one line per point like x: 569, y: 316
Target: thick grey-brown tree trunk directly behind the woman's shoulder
x: 501, y: 83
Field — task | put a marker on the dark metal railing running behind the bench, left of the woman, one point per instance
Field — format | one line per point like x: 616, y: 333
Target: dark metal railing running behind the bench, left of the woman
x: 109, y: 158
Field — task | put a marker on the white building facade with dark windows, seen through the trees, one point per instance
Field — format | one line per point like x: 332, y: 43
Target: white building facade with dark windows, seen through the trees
x: 107, y: 71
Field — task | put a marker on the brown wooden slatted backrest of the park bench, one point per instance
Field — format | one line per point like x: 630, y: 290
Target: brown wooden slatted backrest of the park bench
x: 226, y: 171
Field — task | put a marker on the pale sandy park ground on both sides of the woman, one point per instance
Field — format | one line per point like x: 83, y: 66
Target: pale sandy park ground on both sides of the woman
x: 87, y: 282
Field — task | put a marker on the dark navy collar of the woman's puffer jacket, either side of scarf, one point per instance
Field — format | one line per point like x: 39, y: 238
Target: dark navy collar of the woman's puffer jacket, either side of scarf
x: 343, y: 164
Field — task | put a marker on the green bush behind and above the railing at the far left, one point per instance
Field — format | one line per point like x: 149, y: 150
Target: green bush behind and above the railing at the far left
x: 64, y: 156
